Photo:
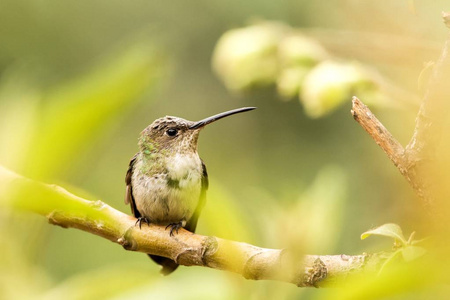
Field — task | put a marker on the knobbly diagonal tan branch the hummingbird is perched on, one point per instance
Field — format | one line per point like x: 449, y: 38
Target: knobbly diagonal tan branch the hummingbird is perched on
x: 62, y: 208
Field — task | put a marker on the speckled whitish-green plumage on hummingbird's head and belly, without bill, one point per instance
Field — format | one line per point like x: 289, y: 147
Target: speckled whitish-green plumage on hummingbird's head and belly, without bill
x: 166, y: 177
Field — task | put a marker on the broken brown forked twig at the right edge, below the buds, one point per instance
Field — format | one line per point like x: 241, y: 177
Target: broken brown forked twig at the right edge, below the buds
x: 417, y: 162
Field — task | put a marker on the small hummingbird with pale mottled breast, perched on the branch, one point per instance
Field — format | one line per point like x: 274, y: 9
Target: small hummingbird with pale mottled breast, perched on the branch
x: 166, y: 181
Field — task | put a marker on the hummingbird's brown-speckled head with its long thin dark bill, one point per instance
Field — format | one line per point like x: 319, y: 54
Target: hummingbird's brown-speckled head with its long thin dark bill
x: 177, y: 135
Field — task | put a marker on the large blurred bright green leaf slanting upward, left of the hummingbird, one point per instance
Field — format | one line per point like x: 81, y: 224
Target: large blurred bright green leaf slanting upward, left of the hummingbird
x: 76, y: 113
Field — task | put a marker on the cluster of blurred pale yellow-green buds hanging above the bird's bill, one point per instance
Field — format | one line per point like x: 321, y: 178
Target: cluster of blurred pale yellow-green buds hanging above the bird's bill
x: 272, y: 53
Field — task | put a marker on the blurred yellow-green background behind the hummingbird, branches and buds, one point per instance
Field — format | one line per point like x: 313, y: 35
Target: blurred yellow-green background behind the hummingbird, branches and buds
x: 79, y: 80
